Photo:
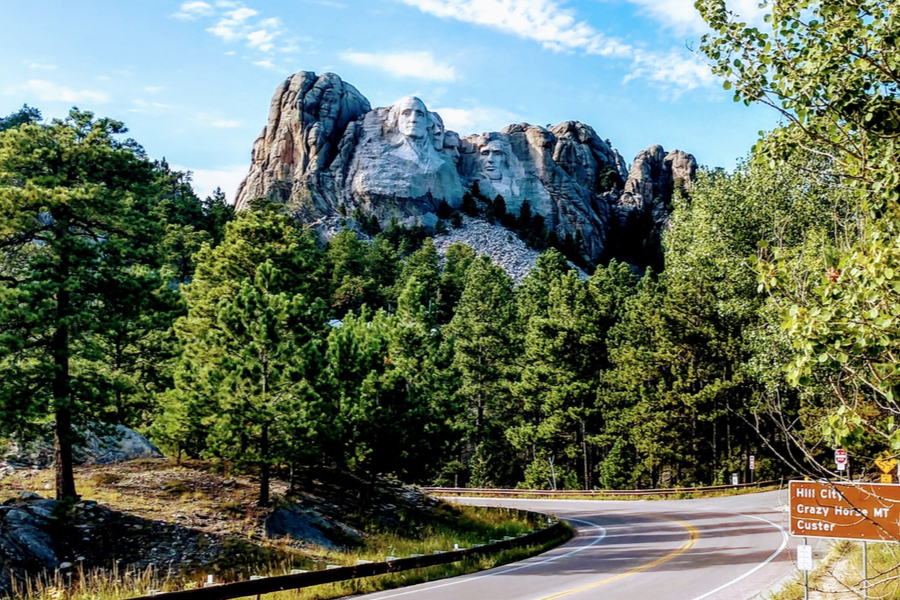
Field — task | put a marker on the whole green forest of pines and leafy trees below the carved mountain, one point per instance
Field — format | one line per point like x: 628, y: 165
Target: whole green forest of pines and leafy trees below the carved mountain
x: 770, y: 330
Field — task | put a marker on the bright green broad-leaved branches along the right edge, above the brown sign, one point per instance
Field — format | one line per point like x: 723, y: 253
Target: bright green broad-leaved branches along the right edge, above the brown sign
x: 827, y: 68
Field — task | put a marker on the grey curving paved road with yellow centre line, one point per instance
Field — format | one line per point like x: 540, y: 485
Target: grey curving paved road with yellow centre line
x: 717, y: 549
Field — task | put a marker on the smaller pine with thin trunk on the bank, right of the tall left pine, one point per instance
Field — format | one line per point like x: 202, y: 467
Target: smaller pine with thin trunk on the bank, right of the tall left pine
x: 266, y: 350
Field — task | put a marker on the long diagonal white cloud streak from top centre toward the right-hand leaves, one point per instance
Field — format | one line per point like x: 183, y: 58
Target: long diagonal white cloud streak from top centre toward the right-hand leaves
x: 558, y: 29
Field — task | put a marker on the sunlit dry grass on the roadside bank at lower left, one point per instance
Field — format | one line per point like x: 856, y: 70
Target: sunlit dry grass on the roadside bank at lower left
x: 189, y: 496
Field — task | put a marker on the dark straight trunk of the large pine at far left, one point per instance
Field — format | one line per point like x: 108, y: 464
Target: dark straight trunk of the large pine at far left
x: 65, y: 475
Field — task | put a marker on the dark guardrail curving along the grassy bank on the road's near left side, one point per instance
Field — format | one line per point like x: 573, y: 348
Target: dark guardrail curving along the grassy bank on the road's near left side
x: 282, y: 583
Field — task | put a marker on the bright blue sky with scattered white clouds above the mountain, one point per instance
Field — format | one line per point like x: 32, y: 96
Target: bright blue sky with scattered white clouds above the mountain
x: 193, y: 79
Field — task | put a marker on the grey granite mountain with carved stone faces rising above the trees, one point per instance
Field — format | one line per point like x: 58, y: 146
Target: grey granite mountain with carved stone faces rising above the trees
x: 325, y: 152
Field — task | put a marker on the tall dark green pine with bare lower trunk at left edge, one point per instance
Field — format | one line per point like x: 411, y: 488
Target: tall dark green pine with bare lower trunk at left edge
x: 76, y: 234
